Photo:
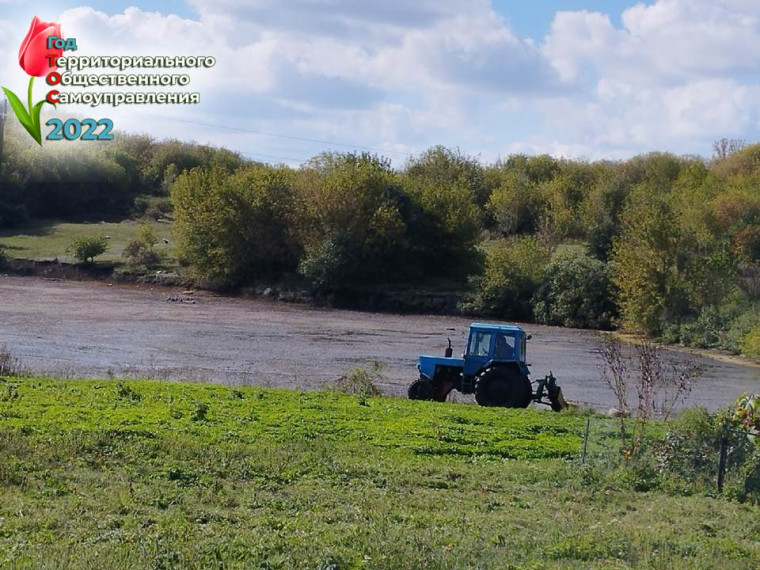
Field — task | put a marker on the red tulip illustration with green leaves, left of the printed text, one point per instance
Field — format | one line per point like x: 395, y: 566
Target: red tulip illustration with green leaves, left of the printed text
x: 34, y: 57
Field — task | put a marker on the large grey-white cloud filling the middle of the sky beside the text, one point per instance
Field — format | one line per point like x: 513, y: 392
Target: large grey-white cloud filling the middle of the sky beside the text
x: 390, y: 75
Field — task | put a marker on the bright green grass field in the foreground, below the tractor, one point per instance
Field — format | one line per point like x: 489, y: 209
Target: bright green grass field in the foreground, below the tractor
x: 139, y: 474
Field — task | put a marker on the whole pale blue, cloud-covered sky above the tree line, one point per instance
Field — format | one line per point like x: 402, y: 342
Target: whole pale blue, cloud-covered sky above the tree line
x: 582, y: 79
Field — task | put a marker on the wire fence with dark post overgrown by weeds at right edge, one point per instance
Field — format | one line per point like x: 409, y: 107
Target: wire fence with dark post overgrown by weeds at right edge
x: 702, y: 456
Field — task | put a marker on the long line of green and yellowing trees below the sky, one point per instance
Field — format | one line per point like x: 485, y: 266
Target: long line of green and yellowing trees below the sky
x: 663, y: 245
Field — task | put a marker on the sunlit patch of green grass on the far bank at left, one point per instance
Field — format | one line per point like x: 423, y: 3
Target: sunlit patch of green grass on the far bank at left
x: 47, y: 239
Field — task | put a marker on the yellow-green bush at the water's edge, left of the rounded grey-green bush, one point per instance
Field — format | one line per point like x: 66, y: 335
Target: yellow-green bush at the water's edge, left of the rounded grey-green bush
x: 513, y: 269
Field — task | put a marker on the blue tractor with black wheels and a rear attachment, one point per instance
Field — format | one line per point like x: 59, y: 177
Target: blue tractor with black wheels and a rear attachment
x: 492, y: 368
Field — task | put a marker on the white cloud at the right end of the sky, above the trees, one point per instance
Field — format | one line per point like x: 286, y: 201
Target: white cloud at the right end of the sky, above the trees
x: 677, y: 75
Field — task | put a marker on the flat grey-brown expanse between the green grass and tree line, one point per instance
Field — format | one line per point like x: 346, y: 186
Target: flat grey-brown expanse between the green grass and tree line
x: 97, y: 329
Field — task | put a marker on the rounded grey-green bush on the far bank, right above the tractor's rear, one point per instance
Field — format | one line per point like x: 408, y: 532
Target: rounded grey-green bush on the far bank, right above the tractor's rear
x: 575, y: 293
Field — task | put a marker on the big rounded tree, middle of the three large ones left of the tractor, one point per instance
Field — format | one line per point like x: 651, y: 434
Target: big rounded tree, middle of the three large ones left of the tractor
x: 354, y: 217
